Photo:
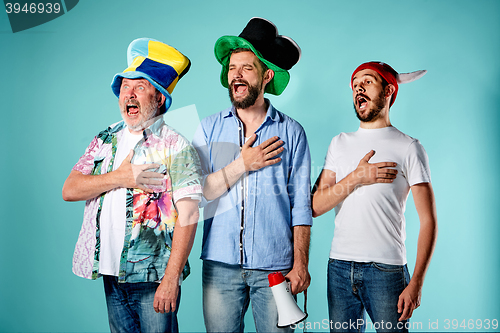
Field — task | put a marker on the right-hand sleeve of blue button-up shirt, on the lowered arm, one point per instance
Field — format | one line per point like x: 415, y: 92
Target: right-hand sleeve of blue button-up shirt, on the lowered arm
x: 300, y: 181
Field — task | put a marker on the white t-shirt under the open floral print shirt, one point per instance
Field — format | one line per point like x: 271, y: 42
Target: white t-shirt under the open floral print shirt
x: 113, y: 216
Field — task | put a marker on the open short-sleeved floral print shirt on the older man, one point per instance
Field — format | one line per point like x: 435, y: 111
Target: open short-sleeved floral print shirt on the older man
x: 150, y: 217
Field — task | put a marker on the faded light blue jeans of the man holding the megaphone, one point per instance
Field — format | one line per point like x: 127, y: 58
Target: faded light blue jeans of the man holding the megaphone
x: 227, y: 292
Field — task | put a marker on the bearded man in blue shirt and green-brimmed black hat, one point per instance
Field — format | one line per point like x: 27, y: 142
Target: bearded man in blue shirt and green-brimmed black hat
x: 256, y: 164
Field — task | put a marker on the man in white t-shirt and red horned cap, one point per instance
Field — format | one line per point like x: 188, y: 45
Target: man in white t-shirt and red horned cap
x: 367, y: 177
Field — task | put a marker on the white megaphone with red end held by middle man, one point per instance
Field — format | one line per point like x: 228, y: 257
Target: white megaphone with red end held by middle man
x: 288, y: 311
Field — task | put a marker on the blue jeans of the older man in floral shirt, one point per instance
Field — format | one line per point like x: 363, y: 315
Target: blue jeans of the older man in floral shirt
x: 130, y: 307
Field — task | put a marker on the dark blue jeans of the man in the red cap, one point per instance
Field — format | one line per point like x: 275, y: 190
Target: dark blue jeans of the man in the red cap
x: 354, y: 287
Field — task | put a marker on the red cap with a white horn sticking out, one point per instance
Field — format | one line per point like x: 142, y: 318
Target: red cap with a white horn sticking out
x: 389, y: 74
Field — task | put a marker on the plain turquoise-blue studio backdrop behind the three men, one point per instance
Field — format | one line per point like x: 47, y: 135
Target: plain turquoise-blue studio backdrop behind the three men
x: 56, y: 95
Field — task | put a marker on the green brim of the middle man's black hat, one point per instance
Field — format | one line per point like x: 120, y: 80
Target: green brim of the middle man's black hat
x: 223, y: 48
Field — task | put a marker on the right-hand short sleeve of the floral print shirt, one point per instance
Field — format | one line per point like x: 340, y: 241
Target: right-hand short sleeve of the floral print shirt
x: 185, y: 174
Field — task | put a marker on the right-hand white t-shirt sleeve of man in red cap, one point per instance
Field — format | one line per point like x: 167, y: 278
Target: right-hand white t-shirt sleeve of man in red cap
x: 417, y: 164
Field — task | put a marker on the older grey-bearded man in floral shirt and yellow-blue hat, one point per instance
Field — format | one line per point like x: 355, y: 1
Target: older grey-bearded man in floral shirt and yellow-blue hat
x: 139, y: 225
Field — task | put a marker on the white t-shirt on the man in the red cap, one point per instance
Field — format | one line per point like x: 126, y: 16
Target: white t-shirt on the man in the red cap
x: 370, y: 222
